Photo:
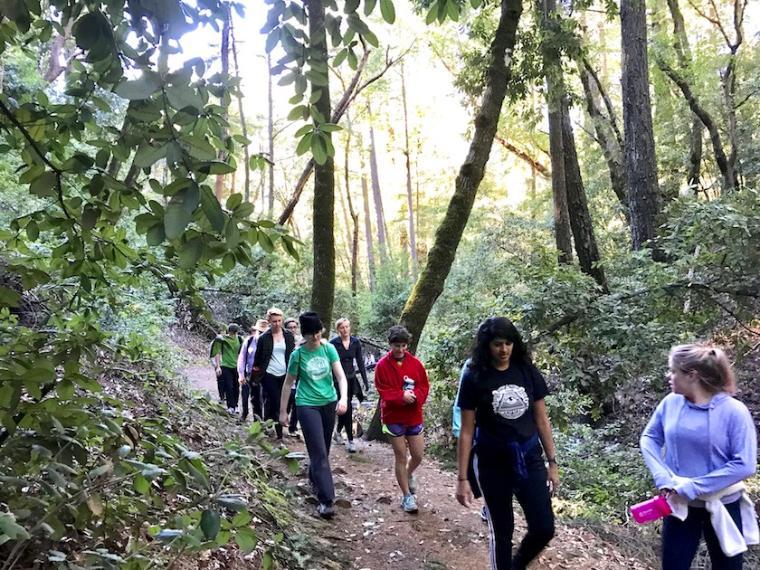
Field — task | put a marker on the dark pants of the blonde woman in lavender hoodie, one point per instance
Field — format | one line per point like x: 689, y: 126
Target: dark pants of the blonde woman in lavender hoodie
x: 680, y: 540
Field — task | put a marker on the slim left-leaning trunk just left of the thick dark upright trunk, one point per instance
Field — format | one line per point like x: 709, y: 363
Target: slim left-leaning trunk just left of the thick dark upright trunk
x: 609, y: 142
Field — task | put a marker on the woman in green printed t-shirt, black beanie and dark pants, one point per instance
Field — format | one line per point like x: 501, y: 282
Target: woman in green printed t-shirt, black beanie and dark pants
x: 314, y: 364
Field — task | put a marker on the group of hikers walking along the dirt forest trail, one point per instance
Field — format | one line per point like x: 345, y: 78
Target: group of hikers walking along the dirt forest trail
x: 700, y: 443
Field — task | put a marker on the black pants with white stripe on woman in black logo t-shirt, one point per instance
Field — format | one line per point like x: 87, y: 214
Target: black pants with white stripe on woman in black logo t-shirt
x: 495, y: 476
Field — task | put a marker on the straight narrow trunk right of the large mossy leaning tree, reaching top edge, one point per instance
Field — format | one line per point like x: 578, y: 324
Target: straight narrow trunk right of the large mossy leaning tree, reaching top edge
x: 555, y: 92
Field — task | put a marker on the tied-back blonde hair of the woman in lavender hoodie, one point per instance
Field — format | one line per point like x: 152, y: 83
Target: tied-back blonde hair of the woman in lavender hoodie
x: 710, y: 363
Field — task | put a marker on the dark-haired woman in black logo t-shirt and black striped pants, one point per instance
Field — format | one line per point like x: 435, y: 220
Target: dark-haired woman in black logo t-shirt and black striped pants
x: 506, y: 427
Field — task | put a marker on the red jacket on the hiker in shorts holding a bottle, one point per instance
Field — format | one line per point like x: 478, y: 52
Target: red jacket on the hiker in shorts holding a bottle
x: 389, y: 381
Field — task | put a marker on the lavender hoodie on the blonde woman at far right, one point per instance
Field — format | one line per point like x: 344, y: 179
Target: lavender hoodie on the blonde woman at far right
x: 712, y: 445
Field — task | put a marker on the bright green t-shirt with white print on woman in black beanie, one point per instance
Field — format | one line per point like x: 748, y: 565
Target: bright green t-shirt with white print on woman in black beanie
x: 313, y: 368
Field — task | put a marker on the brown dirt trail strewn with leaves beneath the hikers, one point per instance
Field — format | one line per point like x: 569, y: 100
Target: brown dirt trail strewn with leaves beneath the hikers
x: 371, y: 532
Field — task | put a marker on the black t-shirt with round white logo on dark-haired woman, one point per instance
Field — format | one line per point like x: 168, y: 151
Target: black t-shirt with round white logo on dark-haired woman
x: 503, y: 400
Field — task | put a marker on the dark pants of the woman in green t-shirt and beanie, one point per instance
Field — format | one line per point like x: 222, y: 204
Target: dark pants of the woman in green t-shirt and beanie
x: 317, y: 424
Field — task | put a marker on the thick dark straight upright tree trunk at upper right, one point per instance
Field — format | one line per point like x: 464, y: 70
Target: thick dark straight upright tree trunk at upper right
x: 641, y: 163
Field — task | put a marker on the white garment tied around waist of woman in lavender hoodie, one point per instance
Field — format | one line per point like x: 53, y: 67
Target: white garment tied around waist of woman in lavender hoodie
x: 732, y: 542
